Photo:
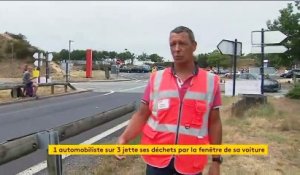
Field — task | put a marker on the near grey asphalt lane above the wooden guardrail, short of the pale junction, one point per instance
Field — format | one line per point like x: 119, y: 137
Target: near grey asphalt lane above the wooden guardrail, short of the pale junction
x: 21, y: 119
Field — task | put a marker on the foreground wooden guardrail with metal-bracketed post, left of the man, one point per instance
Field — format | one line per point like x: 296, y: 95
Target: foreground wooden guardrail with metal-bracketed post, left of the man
x: 21, y: 146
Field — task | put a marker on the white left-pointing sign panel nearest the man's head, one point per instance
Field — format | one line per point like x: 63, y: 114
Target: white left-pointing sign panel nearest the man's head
x: 226, y: 47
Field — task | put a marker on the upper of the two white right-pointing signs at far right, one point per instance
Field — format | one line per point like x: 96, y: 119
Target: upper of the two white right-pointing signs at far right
x: 270, y: 37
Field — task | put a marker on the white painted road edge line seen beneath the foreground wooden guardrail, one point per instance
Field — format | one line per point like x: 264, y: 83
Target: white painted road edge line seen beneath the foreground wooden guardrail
x: 42, y: 165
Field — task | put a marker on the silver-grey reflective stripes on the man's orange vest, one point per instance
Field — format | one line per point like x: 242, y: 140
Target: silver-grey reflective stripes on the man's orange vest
x: 208, y: 97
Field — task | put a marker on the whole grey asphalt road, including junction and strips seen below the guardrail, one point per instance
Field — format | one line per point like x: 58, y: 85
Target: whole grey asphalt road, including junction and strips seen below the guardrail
x: 24, y: 118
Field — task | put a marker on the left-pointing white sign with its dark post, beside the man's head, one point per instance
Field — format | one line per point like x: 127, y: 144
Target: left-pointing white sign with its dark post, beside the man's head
x: 234, y: 48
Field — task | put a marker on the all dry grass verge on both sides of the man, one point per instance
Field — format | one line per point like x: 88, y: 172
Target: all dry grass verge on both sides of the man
x: 260, y: 125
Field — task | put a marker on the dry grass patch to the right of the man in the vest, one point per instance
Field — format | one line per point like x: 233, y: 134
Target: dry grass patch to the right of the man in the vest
x: 264, y: 125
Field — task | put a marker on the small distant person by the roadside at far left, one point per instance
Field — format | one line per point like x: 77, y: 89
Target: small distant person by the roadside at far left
x: 27, y: 80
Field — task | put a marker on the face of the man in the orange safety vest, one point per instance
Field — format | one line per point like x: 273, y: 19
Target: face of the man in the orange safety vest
x: 182, y: 47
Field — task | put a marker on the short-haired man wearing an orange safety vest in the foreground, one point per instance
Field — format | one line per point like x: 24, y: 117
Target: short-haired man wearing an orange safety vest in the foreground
x: 180, y: 106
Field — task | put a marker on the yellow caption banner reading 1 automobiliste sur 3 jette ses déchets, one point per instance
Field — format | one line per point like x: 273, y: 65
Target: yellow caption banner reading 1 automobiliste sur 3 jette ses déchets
x: 259, y: 149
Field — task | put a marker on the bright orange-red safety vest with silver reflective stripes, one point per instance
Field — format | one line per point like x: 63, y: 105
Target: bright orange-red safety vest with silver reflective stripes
x: 174, y: 122
